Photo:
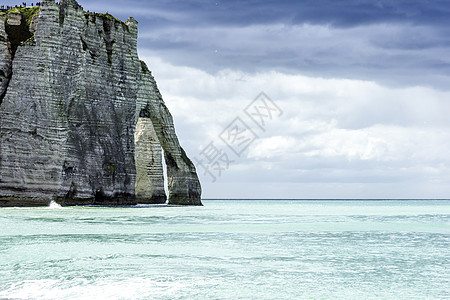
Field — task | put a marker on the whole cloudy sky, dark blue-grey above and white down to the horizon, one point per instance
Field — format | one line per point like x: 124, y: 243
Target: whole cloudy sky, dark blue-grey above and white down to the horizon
x: 362, y: 87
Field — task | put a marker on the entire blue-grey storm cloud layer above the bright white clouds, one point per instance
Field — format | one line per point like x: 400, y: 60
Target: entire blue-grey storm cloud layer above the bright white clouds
x: 392, y: 42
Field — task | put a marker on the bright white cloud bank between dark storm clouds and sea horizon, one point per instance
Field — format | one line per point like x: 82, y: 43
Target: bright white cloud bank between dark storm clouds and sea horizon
x: 334, y: 133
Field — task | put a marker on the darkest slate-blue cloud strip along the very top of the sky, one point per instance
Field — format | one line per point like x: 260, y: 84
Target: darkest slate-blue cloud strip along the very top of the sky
x: 337, y: 13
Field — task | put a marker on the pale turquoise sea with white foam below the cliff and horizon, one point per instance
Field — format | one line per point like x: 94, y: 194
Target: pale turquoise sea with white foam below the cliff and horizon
x: 228, y: 250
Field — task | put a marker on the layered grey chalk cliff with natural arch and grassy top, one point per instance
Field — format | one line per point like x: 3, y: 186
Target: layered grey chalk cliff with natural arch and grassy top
x: 81, y: 118
